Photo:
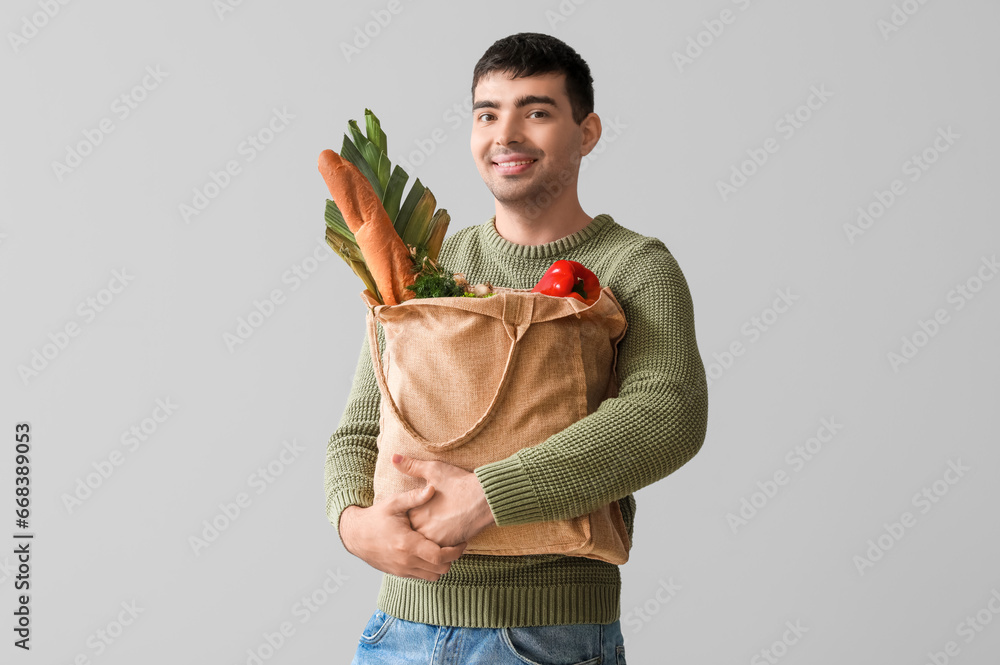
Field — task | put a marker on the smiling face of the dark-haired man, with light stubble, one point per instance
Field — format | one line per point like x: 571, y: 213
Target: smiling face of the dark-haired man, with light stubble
x: 521, y: 119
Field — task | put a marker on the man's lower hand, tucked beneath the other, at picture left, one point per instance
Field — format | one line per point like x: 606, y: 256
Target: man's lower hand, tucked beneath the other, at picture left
x: 381, y: 536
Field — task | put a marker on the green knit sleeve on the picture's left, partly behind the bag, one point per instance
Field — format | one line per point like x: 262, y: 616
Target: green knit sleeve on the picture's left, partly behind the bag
x: 352, y: 450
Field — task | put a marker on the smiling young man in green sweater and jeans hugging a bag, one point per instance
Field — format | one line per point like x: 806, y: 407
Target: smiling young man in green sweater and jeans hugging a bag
x: 533, y: 102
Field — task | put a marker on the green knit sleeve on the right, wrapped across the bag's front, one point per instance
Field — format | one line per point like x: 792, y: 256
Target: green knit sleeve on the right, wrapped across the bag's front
x: 652, y: 428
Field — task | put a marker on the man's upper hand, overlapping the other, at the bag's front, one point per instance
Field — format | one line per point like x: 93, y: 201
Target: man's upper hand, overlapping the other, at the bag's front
x: 458, y: 510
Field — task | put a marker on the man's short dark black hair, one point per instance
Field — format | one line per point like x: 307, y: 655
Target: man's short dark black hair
x: 529, y: 53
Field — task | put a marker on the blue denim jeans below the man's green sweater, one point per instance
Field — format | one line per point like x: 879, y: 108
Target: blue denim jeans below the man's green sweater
x: 389, y: 640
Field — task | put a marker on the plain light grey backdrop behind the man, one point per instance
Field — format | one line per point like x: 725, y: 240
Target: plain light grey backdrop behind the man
x: 679, y: 132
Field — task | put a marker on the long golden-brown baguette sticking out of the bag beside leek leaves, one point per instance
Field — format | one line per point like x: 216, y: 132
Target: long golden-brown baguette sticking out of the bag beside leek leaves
x: 388, y: 258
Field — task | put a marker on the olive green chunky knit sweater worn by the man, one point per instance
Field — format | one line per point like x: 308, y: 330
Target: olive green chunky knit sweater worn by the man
x: 653, y: 427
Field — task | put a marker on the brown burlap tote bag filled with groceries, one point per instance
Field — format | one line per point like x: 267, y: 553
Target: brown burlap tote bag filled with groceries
x: 468, y: 381
